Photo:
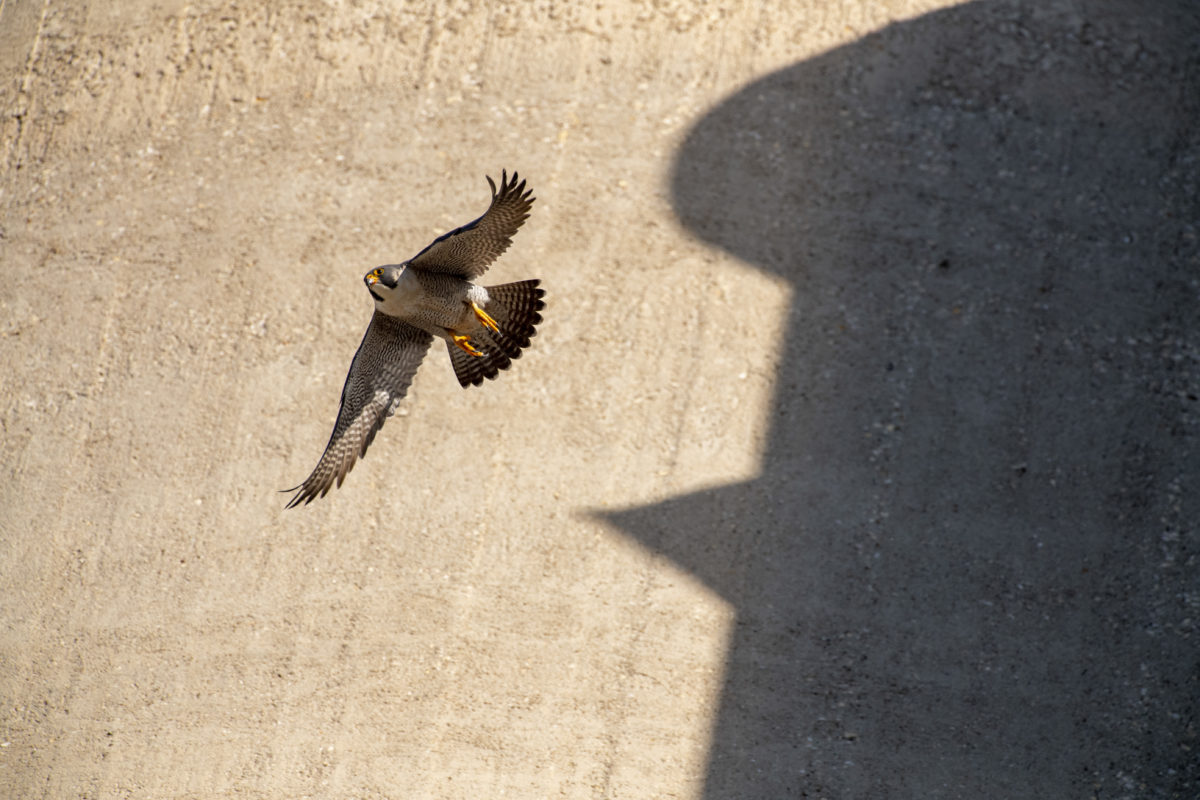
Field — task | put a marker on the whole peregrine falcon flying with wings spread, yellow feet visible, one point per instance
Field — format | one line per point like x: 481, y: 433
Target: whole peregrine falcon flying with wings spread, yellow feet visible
x: 433, y: 294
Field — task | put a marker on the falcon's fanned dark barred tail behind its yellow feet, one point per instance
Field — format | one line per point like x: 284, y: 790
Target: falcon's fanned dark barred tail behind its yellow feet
x: 514, y: 306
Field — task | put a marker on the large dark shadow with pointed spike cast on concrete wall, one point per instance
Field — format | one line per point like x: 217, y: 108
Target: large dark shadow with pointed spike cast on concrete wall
x: 969, y: 568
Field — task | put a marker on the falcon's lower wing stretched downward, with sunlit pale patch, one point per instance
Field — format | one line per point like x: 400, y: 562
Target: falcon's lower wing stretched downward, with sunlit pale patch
x: 381, y: 374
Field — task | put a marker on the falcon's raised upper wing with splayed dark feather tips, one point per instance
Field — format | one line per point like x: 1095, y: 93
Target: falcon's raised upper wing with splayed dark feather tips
x: 467, y: 252
